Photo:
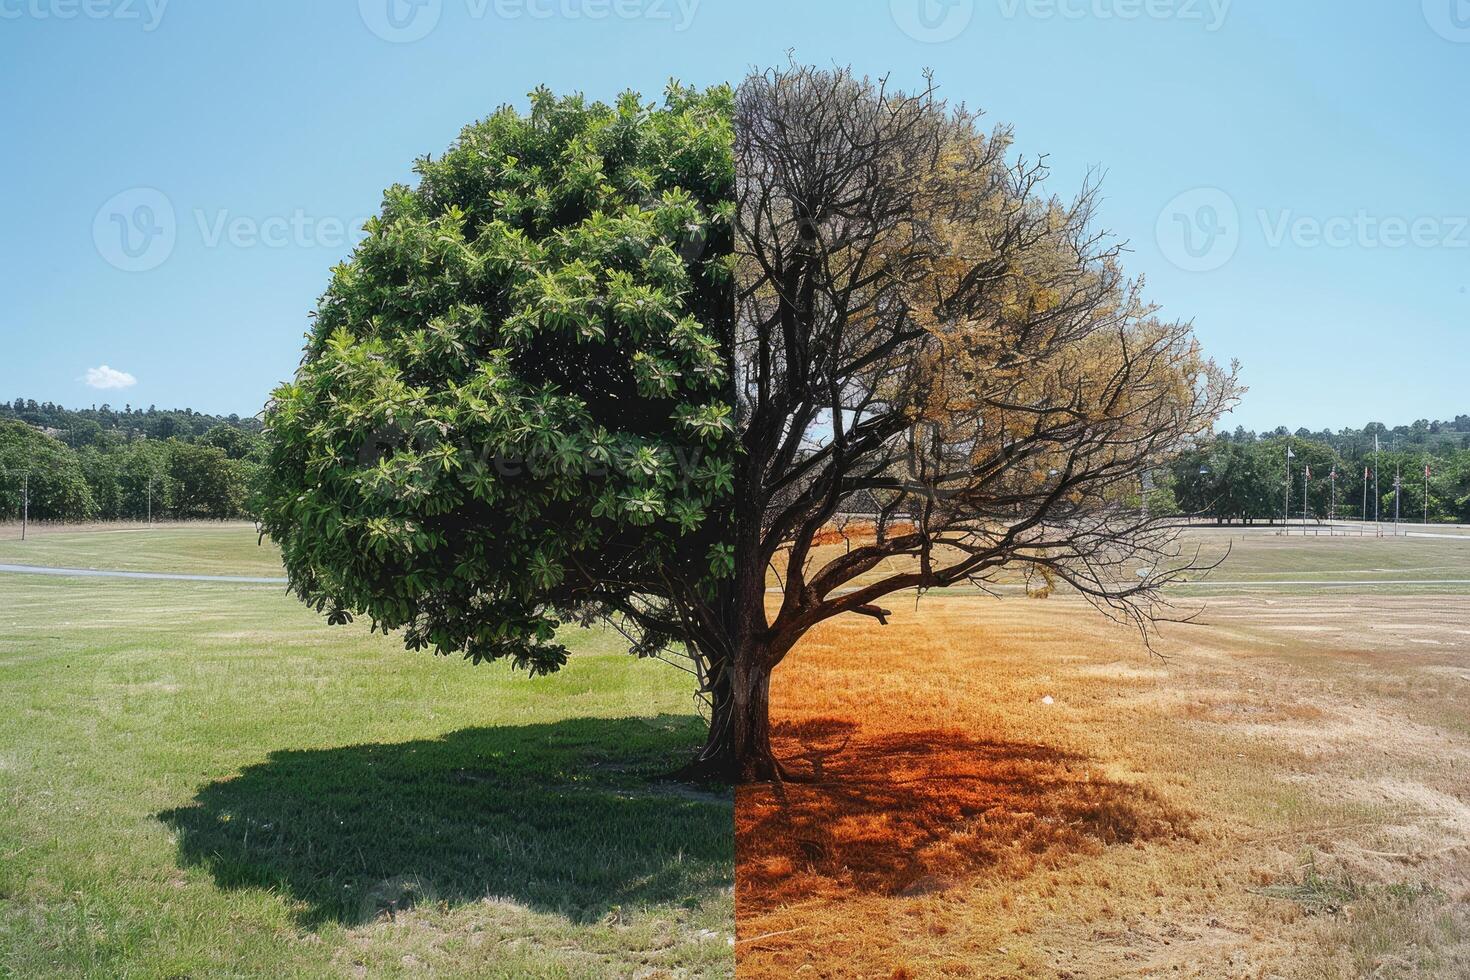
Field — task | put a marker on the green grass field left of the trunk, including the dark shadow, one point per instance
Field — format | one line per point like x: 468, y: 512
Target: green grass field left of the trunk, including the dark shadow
x: 202, y: 779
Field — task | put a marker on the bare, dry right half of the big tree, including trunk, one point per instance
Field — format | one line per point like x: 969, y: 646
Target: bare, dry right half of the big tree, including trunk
x: 924, y: 334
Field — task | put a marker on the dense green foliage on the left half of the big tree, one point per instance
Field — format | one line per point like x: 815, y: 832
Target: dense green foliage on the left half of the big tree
x: 515, y: 402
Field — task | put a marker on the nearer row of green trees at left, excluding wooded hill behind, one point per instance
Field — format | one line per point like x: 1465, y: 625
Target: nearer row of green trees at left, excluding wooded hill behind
x: 211, y: 477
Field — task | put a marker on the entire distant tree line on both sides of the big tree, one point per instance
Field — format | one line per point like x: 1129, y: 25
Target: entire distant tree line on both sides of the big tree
x: 107, y: 465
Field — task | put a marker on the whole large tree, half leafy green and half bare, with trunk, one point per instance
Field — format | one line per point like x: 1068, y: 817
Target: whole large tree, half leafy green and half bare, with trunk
x: 551, y: 386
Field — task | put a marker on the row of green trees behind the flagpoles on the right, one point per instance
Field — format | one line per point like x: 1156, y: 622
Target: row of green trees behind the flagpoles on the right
x: 1246, y: 481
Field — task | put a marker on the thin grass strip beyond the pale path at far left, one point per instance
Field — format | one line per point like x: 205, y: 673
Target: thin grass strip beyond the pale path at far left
x: 204, y: 549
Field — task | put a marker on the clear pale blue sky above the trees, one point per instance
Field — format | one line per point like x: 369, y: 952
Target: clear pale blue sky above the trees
x: 1290, y: 176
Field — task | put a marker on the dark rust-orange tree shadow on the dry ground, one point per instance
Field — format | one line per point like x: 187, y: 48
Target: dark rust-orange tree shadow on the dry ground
x: 914, y: 812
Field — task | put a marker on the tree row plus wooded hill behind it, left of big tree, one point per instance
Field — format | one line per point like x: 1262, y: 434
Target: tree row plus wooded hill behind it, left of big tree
x: 105, y: 465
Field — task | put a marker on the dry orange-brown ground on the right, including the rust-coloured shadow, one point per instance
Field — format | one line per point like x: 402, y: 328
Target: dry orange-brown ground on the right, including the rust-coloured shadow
x: 1022, y: 790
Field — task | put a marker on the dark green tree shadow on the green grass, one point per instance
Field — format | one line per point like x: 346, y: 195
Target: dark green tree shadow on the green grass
x: 565, y: 818
